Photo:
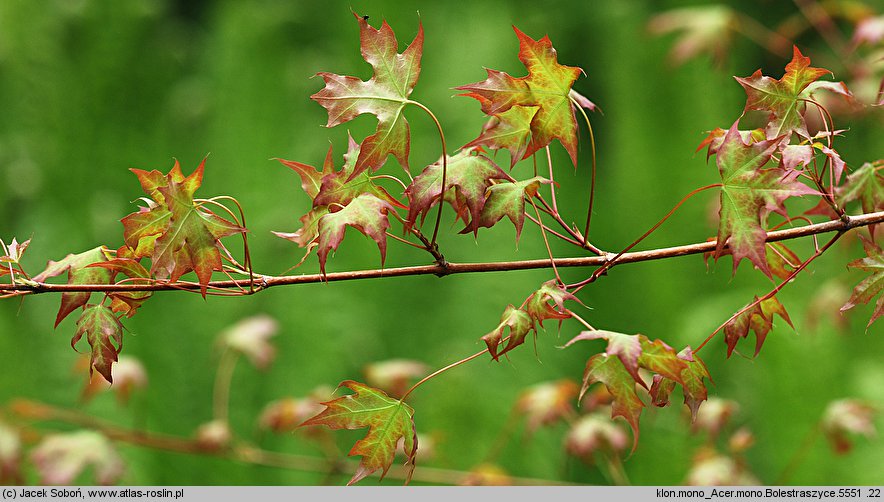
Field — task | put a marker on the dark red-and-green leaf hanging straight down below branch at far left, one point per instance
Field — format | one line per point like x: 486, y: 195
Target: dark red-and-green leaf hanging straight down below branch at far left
x: 104, y: 333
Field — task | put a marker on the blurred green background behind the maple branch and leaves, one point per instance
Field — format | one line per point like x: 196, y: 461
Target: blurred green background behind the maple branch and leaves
x: 89, y: 89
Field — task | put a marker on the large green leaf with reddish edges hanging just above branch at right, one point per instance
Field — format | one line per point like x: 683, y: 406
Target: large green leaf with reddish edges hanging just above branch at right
x: 748, y: 194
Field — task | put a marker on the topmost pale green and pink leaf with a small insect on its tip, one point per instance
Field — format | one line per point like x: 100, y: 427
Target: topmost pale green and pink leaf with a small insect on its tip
x: 385, y: 95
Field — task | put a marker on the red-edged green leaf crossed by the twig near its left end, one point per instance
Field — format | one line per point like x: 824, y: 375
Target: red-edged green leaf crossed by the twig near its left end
x: 79, y: 272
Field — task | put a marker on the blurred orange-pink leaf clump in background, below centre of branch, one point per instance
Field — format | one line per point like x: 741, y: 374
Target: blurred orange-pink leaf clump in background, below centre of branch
x: 547, y: 403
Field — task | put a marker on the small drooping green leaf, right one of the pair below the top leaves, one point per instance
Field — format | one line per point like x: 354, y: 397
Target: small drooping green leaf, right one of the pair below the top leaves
x: 506, y: 199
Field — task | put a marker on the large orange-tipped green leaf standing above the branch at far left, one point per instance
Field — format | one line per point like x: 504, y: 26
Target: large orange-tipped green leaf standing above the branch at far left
x: 177, y: 234
